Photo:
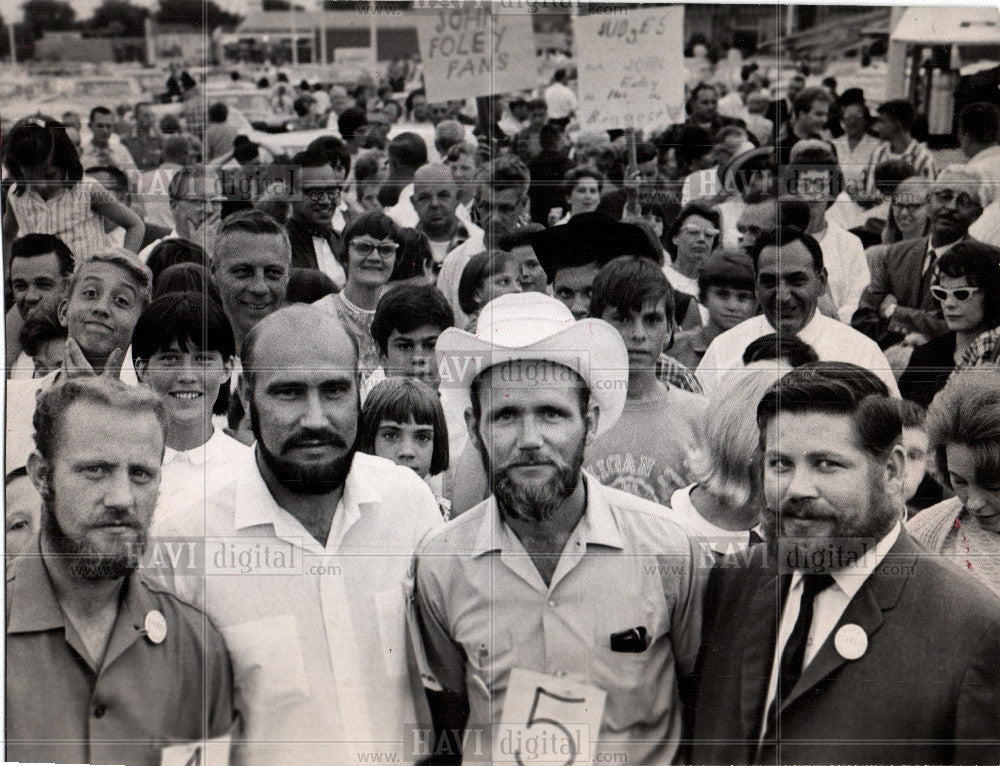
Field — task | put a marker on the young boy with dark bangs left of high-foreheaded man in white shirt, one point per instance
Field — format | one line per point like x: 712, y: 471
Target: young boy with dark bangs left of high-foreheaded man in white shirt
x: 726, y: 290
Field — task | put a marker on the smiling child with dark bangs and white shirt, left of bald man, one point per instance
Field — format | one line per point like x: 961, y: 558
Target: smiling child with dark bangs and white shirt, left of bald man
x: 183, y: 349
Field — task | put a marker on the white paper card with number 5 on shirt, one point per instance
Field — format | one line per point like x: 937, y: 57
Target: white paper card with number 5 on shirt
x: 547, y: 720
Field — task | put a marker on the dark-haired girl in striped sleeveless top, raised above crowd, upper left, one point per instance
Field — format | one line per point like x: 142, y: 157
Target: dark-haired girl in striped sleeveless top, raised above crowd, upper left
x: 49, y: 195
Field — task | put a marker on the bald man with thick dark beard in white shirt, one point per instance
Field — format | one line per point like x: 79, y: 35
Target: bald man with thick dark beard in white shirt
x: 307, y: 551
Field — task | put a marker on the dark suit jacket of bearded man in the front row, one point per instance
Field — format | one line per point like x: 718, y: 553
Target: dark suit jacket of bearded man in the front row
x: 925, y: 690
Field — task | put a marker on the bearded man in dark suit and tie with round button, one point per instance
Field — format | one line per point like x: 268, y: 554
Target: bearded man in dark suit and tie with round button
x: 841, y: 640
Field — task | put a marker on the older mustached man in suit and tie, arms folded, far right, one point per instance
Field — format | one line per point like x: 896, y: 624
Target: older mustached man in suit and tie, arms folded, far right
x: 897, y: 302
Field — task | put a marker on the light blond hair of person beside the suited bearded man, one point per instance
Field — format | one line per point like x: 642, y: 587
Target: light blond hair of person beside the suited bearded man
x: 729, y: 454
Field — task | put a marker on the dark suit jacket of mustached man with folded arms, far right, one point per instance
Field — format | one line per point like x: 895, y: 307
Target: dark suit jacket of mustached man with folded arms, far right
x: 899, y: 273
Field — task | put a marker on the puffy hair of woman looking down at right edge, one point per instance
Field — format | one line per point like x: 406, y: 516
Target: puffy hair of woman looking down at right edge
x: 967, y: 411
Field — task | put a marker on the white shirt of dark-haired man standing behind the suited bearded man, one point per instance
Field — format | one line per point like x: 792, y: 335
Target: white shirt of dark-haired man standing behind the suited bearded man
x: 832, y: 340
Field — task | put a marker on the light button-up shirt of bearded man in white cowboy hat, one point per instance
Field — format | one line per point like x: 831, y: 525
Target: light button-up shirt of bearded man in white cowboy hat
x: 484, y: 610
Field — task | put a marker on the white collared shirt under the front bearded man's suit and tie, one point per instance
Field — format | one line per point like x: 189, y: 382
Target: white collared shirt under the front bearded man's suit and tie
x: 828, y: 608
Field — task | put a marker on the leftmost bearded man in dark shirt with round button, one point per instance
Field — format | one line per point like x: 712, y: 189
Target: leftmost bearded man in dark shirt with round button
x: 103, y: 666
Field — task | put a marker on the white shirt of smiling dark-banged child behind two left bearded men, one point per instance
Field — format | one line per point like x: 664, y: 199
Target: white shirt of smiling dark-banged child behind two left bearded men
x: 188, y: 477
